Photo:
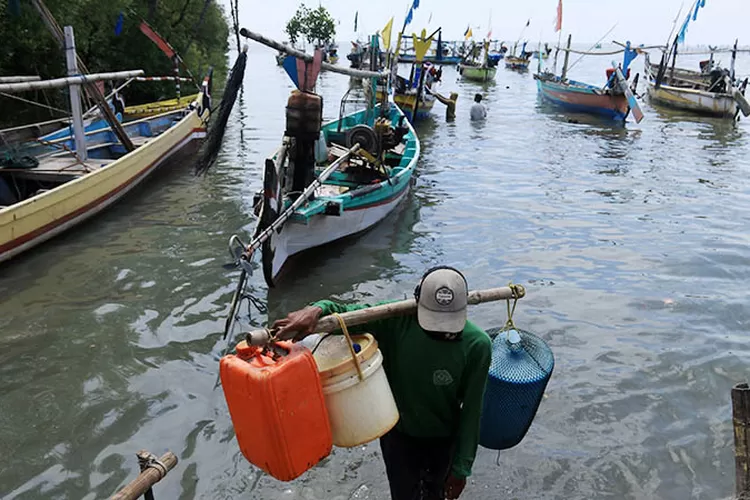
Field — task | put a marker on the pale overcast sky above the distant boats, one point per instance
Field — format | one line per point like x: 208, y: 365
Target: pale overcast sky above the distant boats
x: 640, y: 21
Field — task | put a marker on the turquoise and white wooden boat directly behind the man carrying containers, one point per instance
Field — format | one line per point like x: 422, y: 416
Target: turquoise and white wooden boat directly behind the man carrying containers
x: 356, y: 196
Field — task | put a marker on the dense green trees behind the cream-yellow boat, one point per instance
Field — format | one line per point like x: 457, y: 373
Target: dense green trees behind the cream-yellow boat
x: 29, y: 48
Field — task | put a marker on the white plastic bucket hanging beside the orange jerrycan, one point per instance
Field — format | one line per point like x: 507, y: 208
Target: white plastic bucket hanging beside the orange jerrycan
x: 360, y: 411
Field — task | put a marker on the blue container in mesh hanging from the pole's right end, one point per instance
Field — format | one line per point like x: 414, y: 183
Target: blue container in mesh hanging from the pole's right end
x: 521, y: 366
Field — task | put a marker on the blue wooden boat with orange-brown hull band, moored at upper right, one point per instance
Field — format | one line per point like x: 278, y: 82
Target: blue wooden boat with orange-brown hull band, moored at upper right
x: 615, y: 100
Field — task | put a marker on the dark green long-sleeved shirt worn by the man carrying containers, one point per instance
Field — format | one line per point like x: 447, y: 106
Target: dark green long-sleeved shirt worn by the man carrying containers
x: 438, y: 385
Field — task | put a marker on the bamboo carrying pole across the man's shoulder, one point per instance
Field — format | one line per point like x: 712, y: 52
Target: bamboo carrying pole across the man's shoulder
x: 329, y: 324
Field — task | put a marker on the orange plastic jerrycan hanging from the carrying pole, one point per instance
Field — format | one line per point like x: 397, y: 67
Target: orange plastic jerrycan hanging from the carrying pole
x: 277, y: 407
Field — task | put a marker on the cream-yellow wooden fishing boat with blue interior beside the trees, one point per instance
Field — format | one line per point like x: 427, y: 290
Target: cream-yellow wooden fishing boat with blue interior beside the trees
x: 64, y: 190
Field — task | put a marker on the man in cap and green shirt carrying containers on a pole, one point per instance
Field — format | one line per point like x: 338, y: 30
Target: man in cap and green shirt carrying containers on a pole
x: 436, y: 363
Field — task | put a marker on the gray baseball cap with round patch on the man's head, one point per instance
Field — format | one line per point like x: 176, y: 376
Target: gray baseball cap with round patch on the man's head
x: 442, y: 301
